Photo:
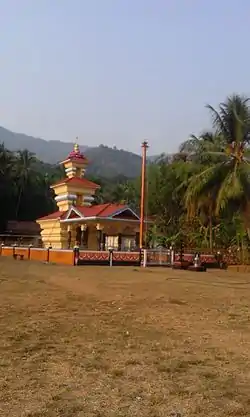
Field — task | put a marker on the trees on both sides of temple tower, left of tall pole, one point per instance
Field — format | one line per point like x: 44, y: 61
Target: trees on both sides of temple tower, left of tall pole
x: 25, y: 187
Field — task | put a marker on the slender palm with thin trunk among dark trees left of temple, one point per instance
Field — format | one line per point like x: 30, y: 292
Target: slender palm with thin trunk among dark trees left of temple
x: 25, y: 159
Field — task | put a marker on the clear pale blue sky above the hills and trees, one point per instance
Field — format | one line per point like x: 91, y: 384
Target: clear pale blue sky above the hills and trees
x: 120, y: 71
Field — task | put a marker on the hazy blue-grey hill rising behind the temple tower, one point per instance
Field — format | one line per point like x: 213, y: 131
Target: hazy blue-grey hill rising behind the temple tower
x: 105, y: 162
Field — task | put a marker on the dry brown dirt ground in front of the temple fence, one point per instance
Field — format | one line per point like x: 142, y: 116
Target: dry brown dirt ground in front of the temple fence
x: 119, y: 342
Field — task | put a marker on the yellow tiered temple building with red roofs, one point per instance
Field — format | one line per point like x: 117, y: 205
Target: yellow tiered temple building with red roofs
x: 79, y: 222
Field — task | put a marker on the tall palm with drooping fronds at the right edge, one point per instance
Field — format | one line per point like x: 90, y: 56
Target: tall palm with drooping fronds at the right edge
x: 226, y: 178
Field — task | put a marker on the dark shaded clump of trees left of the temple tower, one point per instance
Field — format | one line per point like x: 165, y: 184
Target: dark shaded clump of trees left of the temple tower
x: 24, y: 186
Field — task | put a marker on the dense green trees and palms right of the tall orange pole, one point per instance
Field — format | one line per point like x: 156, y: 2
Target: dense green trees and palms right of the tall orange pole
x: 202, y: 196
